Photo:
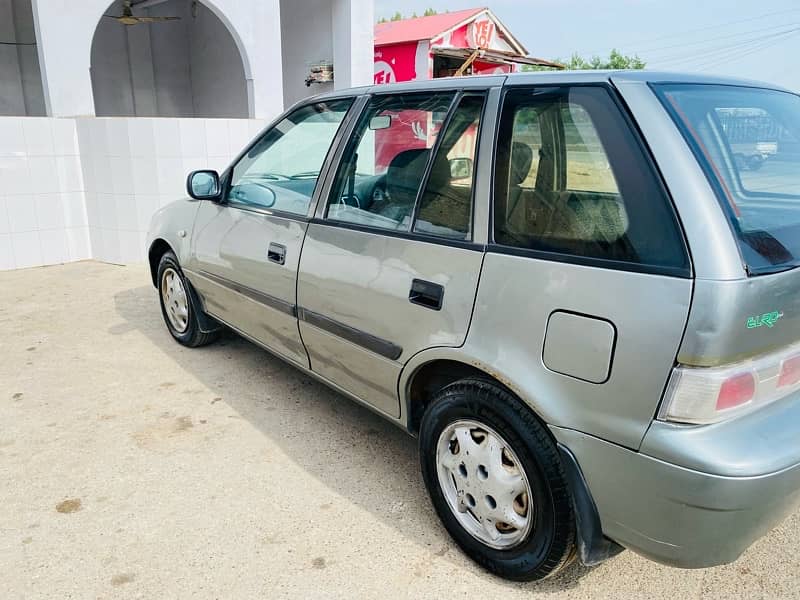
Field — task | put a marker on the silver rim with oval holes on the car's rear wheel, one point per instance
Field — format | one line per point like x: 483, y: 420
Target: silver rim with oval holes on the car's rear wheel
x: 484, y: 484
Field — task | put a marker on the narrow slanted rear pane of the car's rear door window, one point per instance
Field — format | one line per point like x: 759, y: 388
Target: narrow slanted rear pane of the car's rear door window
x: 446, y: 204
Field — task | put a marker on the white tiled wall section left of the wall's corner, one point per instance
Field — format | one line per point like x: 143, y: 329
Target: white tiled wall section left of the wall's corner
x: 42, y: 209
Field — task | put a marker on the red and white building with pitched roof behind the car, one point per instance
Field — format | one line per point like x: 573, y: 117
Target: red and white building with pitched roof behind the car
x: 465, y: 42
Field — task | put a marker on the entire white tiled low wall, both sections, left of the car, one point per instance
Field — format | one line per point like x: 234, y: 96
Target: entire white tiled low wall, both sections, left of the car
x: 87, y: 187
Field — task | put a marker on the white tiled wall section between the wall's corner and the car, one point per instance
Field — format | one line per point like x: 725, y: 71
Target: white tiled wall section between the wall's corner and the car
x: 133, y: 166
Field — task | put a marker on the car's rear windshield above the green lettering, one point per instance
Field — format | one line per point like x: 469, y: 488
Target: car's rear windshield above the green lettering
x: 748, y: 141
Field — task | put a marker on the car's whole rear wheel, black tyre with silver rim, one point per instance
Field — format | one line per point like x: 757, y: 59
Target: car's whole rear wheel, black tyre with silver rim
x: 496, y: 480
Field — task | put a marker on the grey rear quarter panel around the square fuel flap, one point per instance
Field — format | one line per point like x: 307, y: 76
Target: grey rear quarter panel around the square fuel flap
x: 622, y: 408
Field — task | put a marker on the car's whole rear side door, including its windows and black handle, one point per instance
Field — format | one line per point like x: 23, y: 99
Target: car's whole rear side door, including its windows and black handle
x: 390, y: 265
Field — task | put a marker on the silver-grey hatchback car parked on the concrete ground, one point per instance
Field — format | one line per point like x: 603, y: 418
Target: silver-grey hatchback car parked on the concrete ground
x: 579, y: 290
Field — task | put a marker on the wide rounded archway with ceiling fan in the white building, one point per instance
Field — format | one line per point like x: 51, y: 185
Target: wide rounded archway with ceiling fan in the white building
x: 187, y: 66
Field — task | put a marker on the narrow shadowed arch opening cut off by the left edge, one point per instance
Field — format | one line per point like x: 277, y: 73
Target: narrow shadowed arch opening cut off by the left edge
x: 20, y: 77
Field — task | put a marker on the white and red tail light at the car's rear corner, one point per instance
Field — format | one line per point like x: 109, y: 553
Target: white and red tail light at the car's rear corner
x: 705, y: 395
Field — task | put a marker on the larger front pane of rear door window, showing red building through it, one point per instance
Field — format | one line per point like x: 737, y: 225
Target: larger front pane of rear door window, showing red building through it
x: 383, y: 167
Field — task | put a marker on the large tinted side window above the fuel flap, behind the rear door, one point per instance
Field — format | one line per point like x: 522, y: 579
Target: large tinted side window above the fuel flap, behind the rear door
x: 572, y: 179
